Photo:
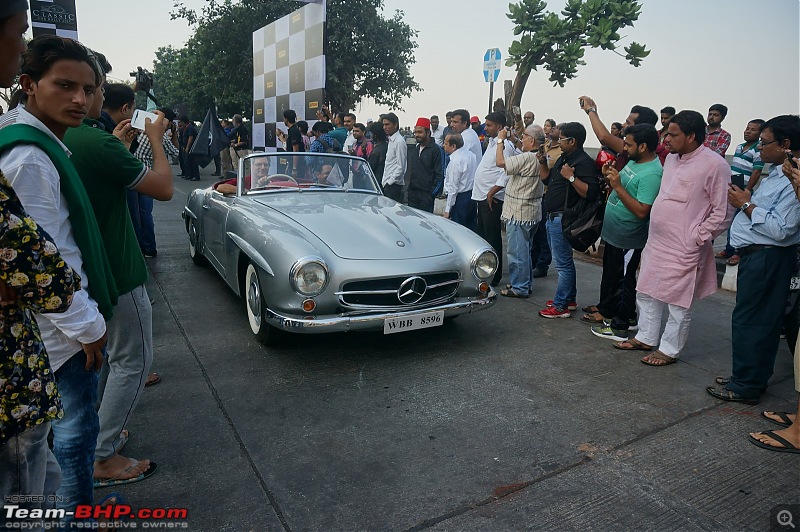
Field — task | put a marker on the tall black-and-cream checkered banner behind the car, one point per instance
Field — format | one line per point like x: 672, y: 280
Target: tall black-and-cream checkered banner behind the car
x: 288, y: 72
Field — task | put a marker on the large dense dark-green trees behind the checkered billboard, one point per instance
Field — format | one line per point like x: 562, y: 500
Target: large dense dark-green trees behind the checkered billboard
x: 367, y: 55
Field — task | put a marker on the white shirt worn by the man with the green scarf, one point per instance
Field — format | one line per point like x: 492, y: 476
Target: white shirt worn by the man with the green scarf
x: 37, y: 183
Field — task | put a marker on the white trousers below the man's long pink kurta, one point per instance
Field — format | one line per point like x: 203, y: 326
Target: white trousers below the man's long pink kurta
x: 676, y: 331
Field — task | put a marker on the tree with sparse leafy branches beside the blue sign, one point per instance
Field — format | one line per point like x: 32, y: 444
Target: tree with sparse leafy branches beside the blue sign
x: 558, y: 44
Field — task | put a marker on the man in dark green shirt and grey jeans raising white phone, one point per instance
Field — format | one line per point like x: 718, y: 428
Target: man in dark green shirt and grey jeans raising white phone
x: 108, y: 170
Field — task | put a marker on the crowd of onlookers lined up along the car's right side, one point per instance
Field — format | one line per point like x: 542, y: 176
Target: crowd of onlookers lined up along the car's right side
x: 665, y: 194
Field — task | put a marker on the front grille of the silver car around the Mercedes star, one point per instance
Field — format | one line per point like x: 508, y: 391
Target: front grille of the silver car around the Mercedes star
x: 383, y: 293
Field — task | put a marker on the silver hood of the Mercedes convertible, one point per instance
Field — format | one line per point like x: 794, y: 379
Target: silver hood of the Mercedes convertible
x: 361, y: 226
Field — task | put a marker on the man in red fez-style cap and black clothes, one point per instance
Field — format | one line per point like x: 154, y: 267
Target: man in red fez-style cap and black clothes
x: 425, y: 172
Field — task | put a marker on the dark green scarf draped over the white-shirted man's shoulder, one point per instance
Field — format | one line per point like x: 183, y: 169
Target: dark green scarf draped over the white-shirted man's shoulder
x: 81, y: 216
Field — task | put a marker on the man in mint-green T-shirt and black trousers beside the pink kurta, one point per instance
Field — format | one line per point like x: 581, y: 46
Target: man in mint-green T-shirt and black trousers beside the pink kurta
x: 625, y: 226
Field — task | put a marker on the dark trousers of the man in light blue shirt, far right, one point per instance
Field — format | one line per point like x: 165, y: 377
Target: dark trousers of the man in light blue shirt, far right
x: 762, y: 287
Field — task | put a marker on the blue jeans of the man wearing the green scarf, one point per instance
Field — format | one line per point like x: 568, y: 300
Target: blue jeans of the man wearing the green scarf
x: 75, y: 435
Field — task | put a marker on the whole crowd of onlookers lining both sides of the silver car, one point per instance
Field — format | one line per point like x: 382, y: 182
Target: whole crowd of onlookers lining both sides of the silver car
x: 76, y: 193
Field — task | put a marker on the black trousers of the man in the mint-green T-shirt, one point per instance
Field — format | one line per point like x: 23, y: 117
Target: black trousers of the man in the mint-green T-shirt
x: 618, y: 285
